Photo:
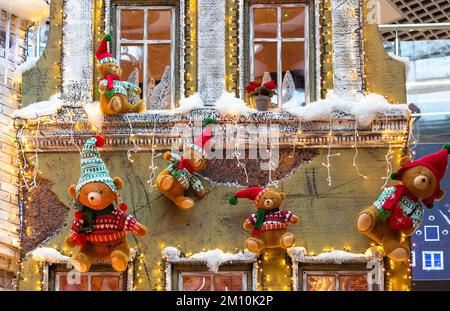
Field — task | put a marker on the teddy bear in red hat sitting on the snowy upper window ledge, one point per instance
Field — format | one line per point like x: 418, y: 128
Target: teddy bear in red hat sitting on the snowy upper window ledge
x: 113, y: 91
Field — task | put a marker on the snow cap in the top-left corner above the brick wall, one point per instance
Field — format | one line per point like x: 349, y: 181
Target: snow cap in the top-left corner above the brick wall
x: 33, y: 10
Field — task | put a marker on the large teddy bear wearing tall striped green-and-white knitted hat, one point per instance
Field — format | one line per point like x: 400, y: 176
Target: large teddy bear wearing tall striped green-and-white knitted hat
x: 99, y: 227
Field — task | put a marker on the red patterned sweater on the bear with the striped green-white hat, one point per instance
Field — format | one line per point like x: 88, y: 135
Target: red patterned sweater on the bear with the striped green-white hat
x: 106, y: 228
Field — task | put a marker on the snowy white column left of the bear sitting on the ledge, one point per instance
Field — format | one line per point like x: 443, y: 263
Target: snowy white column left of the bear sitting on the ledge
x: 77, y: 68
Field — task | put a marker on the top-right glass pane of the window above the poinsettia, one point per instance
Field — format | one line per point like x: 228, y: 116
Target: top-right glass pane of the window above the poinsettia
x: 293, y: 22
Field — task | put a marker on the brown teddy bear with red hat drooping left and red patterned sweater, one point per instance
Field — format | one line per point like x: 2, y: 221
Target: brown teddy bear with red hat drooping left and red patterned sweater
x: 269, y: 224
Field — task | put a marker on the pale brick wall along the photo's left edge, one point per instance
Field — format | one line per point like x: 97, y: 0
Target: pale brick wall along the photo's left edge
x: 12, y: 53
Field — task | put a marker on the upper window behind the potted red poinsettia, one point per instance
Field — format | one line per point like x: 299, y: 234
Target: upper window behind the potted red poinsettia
x: 278, y: 35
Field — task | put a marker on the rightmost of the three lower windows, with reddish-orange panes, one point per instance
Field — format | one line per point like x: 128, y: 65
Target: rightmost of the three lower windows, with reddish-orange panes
x: 336, y: 281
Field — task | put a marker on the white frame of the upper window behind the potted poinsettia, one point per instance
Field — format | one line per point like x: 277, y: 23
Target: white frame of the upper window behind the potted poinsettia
x: 279, y: 40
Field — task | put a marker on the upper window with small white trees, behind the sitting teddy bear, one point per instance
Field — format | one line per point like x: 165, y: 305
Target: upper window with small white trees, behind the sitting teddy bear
x: 145, y: 48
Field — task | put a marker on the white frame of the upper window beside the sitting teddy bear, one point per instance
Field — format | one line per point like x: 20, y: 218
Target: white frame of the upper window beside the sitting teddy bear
x: 146, y: 42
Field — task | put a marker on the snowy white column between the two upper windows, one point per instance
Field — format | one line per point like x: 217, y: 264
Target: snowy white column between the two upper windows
x: 211, y: 50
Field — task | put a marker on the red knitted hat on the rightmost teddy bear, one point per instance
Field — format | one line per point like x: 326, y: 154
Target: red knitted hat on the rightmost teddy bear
x: 436, y: 162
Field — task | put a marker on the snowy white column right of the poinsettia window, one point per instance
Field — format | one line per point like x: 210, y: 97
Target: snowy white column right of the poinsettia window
x: 347, y: 47
